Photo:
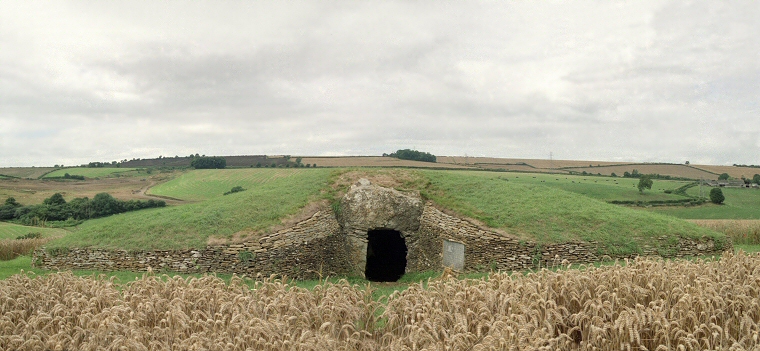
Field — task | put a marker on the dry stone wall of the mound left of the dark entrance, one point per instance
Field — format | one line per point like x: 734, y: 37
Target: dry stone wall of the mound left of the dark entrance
x: 307, y: 250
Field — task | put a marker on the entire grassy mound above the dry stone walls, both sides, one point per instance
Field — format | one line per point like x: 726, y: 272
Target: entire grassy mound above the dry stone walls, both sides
x: 531, y: 209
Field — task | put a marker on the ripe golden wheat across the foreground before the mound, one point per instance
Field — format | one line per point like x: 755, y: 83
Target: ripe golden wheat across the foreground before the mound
x: 646, y: 304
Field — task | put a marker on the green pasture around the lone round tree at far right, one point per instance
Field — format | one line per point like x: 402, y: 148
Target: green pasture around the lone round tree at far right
x: 740, y: 203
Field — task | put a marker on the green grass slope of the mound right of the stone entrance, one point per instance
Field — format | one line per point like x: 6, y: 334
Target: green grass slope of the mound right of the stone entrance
x: 534, y: 211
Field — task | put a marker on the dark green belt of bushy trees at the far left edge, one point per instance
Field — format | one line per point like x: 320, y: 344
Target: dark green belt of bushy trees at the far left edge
x: 55, y: 208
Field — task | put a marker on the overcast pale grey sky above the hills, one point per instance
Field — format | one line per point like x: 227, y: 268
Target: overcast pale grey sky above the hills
x: 638, y: 81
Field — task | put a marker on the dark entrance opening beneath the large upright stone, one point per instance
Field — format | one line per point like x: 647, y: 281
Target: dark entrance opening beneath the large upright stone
x: 386, y: 255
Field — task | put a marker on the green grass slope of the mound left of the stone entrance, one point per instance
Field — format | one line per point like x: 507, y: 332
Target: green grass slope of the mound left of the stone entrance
x: 271, y: 195
